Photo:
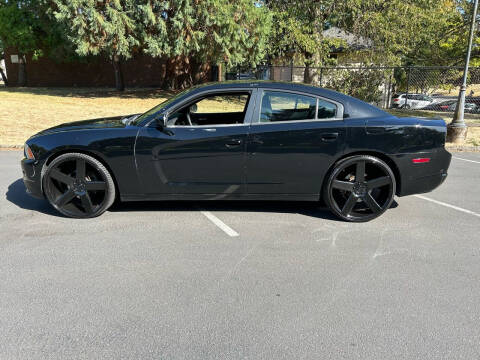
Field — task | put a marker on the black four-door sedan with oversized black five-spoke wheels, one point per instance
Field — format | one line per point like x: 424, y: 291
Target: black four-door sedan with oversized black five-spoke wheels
x: 240, y: 141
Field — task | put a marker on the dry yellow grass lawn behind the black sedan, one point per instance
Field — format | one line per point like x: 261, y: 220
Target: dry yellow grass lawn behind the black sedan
x: 26, y: 111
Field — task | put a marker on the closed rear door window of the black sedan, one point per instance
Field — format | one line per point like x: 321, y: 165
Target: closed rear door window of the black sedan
x: 281, y: 106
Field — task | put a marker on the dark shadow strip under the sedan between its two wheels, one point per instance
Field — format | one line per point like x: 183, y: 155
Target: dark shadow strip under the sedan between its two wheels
x: 311, y: 209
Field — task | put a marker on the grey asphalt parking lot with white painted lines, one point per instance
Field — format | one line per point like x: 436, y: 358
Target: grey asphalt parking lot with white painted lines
x: 242, y: 280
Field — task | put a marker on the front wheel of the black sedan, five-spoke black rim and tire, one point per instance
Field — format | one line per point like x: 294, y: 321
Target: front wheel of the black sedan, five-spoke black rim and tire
x: 78, y: 186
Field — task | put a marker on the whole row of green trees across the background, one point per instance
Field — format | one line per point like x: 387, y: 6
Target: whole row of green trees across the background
x: 190, y: 33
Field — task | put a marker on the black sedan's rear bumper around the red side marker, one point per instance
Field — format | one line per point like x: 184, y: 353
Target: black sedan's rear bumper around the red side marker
x: 423, y: 177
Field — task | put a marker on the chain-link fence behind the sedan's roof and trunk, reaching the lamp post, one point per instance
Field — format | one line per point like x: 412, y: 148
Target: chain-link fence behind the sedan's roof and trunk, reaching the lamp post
x: 431, y: 90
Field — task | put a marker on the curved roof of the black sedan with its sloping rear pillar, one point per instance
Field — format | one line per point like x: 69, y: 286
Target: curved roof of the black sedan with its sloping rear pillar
x: 352, y: 107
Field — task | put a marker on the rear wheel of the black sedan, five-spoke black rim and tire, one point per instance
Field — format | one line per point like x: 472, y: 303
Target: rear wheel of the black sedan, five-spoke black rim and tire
x: 360, y: 188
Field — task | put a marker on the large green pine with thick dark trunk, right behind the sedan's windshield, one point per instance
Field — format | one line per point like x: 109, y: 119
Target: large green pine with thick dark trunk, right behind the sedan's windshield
x: 195, y: 32
